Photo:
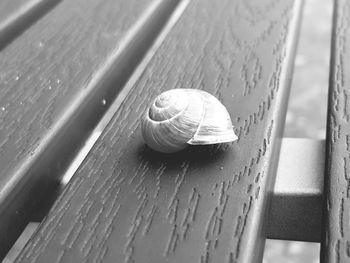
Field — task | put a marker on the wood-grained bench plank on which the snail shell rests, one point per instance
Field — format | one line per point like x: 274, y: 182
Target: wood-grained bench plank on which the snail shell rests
x: 128, y: 203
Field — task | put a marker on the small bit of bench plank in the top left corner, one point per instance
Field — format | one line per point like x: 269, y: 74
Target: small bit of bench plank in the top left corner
x: 17, y: 15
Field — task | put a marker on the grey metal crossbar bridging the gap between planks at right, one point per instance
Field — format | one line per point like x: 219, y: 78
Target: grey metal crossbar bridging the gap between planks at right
x: 296, y: 208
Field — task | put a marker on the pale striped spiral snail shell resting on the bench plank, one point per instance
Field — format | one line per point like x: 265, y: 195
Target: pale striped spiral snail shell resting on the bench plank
x: 180, y: 117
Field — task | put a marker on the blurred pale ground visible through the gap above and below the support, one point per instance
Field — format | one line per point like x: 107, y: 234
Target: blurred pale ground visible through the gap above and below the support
x: 306, y: 116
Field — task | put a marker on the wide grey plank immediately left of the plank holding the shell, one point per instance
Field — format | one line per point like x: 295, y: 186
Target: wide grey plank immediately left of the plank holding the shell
x: 57, y: 80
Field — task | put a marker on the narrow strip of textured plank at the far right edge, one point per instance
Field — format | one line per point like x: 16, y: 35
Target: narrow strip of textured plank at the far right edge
x: 335, y: 245
